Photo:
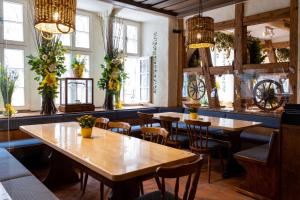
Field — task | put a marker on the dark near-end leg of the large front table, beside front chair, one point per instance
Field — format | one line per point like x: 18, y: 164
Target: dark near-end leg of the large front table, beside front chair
x: 125, y: 190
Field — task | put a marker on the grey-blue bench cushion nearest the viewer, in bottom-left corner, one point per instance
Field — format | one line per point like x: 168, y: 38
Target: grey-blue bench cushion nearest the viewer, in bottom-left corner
x: 28, y: 188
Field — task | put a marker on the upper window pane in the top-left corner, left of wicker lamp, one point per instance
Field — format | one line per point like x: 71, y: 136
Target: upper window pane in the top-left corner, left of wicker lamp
x: 13, y: 21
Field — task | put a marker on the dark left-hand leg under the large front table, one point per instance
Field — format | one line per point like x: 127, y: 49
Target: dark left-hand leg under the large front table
x: 61, y: 171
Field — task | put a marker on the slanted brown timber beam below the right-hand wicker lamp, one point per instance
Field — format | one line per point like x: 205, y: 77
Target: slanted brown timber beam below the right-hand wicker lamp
x: 210, y: 80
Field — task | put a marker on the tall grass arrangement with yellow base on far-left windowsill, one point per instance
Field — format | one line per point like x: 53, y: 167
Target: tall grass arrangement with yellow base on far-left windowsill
x: 7, y: 85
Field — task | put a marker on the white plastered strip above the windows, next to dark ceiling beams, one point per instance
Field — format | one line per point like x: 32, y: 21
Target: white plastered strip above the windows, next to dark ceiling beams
x: 126, y: 13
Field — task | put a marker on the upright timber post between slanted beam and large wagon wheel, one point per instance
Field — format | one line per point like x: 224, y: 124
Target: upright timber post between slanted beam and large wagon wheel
x: 240, y: 53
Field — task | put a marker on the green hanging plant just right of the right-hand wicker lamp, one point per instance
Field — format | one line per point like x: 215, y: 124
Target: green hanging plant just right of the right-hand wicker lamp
x: 224, y: 42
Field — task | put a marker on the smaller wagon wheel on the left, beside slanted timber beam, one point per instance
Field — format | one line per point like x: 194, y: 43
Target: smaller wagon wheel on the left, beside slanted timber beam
x: 196, y: 89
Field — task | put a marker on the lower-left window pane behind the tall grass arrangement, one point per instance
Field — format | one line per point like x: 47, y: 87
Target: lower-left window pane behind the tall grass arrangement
x: 14, y: 61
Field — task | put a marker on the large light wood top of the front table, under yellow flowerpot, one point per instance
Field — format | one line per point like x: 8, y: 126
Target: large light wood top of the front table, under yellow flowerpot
x: 112, y: 155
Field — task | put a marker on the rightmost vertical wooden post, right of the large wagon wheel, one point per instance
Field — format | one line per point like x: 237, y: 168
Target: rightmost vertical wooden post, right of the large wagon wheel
x: 293, y: 76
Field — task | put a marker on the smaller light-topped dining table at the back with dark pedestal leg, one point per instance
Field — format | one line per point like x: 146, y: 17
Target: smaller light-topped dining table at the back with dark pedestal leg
x: 232, y: 129
